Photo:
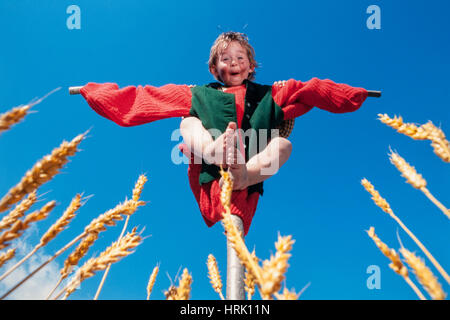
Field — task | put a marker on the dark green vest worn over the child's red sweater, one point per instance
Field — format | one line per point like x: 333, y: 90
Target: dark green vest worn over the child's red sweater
x: 216, y: 109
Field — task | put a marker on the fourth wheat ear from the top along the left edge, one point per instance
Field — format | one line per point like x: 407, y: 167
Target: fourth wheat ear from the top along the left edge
x: 20, y: 226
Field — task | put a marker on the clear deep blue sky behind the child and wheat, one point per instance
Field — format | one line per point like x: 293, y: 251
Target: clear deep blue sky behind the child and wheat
x: 316, y: 197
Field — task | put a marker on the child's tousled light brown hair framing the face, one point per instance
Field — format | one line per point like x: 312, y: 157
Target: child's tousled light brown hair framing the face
x: 222, y: 42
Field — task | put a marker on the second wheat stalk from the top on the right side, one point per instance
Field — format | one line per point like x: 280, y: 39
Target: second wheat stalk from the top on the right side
x: 415, y: 179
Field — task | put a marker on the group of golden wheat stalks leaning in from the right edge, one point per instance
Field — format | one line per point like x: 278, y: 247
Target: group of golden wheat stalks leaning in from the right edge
x: 424, y: 275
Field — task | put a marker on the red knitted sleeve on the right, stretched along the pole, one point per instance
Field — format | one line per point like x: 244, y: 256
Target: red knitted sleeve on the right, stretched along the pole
x: 297, y: 98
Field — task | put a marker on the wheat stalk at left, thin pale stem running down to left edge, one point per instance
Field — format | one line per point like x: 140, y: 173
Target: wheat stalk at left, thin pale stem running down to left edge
x: 52, y: 232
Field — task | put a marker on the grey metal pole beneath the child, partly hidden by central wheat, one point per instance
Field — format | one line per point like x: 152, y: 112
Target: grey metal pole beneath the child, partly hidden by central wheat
x: 235, y: 270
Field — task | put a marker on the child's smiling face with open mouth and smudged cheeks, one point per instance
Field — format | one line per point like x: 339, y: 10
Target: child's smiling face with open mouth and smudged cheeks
x: 232, y: 66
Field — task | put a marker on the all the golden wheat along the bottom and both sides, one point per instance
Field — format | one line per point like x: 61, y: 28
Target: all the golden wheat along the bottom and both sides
x: 265, y: 276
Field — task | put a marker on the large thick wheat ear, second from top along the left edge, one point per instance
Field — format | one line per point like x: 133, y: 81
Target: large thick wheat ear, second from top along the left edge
x: 42, y: 172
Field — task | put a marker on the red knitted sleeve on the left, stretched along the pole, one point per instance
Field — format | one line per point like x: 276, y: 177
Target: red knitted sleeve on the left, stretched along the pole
x: 131, y: 106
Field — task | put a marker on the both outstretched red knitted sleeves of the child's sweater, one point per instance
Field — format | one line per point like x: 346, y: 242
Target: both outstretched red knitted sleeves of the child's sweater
x: 131, y: 106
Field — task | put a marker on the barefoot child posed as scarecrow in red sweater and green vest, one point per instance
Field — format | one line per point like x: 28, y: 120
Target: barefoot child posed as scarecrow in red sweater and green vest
x: 230, y: 123
